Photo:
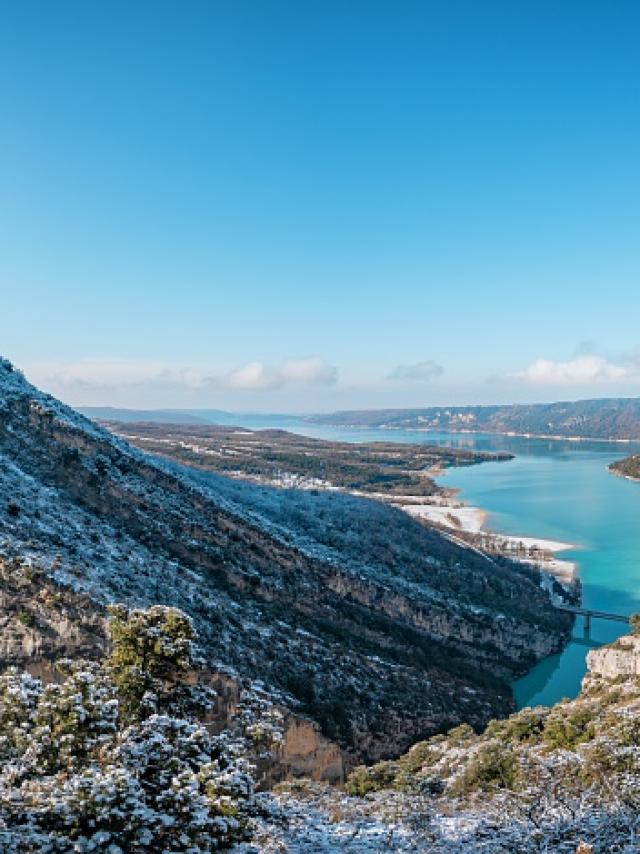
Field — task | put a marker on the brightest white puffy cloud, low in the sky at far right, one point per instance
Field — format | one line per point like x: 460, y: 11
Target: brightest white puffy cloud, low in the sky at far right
x: 582, y: 370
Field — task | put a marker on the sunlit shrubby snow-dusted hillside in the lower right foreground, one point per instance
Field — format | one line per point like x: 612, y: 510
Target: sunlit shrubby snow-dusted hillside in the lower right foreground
x: 562, y: 779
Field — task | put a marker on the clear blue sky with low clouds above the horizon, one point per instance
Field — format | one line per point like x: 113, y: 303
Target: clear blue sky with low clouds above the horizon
x: 307, y: 206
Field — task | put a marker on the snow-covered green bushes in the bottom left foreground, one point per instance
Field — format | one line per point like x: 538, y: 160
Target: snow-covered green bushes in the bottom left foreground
x: 87, y: 764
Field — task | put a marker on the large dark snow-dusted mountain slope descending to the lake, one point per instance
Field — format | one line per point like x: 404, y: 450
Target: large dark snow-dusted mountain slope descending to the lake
x: 357, y: 617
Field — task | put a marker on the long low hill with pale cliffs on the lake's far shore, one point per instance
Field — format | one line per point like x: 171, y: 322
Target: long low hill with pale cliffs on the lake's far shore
x: 607, y: 418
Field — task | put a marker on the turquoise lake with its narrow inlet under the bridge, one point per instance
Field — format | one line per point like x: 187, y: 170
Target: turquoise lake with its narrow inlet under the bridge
x: 559, y: 490
